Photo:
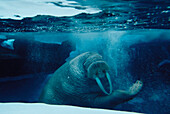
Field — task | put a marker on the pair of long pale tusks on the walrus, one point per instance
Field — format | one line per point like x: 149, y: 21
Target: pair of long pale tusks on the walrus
x: 101, y: 85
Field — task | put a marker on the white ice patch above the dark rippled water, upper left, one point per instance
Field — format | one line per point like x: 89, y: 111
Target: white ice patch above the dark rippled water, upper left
x: 31, y: 8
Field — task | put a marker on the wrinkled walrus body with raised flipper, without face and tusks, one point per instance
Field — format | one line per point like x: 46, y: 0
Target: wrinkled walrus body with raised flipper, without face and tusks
x: 70, y: 85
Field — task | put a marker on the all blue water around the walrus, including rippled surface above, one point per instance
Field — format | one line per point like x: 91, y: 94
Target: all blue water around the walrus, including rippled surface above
x: 132, y: 36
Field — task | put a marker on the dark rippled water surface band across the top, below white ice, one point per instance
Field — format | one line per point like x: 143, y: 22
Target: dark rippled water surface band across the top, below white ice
x: 117, y: 15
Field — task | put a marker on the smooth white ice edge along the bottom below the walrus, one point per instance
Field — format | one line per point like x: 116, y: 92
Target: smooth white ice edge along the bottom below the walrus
x: 39, y: 108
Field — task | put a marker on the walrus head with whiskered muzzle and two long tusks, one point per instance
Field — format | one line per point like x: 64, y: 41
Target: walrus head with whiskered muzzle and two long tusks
x: 97, y: 68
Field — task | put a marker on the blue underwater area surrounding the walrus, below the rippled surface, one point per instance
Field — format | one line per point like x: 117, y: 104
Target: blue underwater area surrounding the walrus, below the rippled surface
x: 131, y: 55
